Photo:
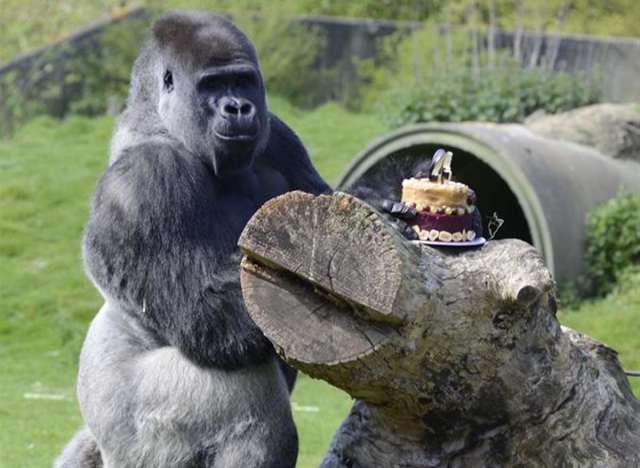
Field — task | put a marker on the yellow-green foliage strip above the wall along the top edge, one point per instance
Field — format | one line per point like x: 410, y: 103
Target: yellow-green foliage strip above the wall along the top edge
x: 27, y: 24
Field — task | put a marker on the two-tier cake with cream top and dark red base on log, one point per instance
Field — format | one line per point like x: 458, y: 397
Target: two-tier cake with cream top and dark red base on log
x: 446, y: 210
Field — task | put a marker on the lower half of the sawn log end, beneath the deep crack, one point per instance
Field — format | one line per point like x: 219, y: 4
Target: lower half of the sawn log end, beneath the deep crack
x: 309, y: 325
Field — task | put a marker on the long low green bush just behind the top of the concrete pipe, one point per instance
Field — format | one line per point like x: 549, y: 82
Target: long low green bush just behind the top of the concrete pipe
x: 508, y: 93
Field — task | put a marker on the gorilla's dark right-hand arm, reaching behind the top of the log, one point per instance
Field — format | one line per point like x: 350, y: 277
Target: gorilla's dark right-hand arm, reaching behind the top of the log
x: 286, y: 153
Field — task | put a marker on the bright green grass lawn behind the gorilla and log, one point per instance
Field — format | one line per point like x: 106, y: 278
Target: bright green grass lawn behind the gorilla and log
x: 47, y: 174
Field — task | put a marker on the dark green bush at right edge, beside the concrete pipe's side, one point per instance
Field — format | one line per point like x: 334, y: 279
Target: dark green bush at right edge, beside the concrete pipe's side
x: 613, y: 242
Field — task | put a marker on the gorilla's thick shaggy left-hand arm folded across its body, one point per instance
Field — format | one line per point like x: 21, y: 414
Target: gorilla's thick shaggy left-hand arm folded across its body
x: 153, y: 244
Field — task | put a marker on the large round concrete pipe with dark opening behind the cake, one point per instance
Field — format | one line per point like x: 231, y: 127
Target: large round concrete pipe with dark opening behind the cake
x: 542, y: 188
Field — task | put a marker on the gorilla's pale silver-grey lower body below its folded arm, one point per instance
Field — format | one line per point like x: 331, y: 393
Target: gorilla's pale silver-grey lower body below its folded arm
x: 149, y: 406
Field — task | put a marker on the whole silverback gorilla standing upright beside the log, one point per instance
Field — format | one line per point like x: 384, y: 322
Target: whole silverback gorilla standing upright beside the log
x: 173, y: 373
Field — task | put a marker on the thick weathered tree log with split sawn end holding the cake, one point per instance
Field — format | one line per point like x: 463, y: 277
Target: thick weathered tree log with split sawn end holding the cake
x: 455, y: 356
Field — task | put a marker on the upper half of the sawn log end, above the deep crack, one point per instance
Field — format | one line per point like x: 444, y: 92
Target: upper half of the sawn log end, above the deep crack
x: 337, y: 242
